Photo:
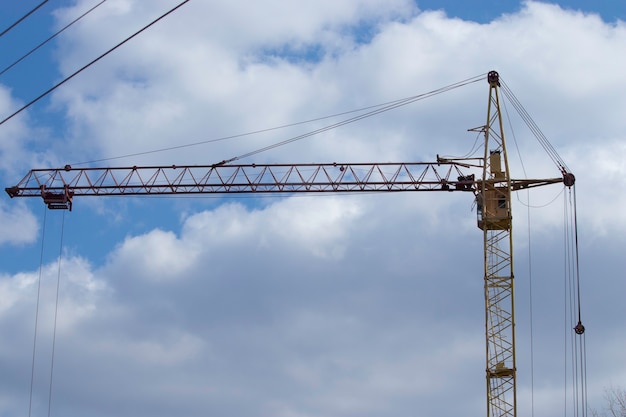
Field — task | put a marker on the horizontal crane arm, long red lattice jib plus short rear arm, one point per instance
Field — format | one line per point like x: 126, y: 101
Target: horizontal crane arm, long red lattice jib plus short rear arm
x: 59, y: 186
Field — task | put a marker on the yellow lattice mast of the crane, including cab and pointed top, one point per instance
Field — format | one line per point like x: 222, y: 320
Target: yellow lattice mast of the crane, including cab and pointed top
x: 494, y: 218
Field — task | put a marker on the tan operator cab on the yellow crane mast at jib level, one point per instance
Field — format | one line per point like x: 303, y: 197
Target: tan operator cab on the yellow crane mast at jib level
x: 493, y: 198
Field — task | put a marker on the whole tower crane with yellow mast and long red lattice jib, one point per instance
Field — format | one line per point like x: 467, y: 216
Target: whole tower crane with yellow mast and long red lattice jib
x: 487, y: 178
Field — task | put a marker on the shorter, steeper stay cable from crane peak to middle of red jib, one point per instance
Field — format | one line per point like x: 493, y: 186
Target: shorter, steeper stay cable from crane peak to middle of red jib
x: 383, y: 109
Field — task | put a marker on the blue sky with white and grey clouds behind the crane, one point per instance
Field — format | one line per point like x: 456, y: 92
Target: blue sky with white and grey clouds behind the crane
x: 309, y: 306
